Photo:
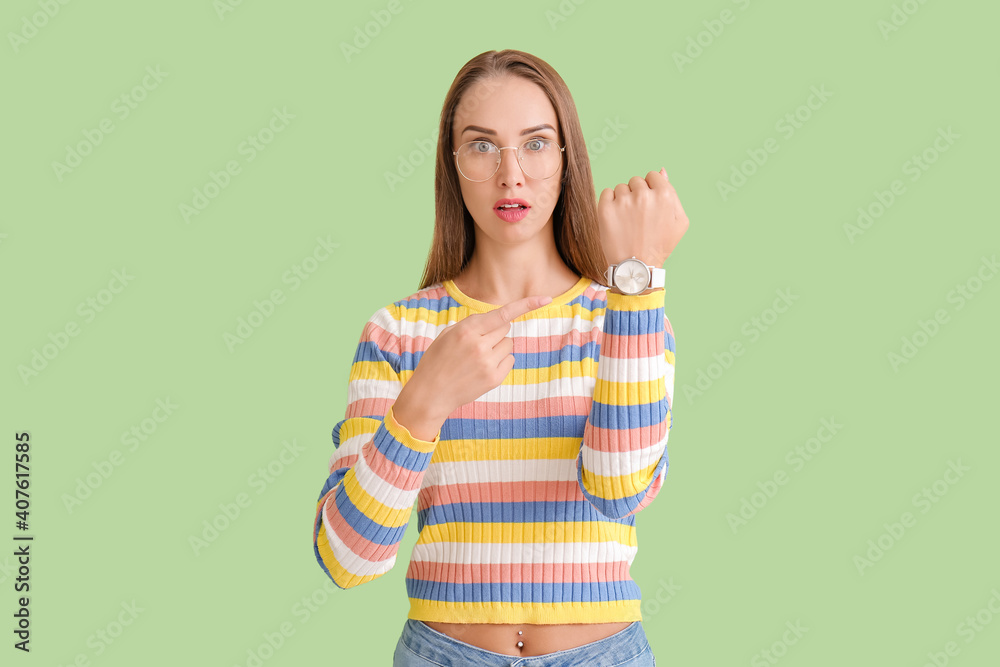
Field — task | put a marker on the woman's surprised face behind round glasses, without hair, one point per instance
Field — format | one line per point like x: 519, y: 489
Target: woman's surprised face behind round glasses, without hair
x: 508, y: 112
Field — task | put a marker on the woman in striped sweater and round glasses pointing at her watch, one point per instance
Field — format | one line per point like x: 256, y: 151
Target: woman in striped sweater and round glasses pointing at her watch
x: 521, y: 403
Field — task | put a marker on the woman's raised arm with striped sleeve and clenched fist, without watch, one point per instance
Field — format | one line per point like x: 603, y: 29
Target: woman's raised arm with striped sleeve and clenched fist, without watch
x: 623, y: 457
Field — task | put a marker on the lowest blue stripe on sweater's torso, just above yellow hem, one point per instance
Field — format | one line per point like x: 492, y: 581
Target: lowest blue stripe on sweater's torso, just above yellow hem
x: 524, y: 592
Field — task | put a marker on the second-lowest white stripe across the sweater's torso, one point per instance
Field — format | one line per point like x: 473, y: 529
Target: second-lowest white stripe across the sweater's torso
x: 510, y: 470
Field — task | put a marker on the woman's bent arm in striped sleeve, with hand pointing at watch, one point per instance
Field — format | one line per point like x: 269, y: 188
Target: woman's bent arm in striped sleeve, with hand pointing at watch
x: 385, y: 443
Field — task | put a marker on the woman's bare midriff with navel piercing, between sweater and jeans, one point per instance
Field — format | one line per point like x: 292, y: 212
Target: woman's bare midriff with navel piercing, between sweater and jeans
x: 534, y: 639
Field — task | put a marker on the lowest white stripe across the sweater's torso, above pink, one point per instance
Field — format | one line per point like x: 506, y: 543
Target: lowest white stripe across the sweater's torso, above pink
x: 522, y: 552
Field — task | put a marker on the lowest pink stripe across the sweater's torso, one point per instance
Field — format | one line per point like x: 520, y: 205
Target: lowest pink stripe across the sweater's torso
x: 518, y: 572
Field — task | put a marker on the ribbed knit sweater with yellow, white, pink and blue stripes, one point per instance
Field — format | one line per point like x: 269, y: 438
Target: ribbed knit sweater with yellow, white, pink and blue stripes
x: 526, y: 498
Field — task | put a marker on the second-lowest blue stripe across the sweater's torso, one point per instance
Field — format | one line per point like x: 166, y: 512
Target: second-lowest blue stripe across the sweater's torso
x: 539, y: 511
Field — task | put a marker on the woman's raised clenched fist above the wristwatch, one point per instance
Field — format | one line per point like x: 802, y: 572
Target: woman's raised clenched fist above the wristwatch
x: 643, y: 218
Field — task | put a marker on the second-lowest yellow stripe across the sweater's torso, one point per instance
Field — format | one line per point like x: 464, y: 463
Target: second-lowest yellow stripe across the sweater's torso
x: 528, y: 532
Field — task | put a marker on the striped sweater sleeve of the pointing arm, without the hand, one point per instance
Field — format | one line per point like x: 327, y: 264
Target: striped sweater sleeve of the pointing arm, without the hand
x: 379, y: 463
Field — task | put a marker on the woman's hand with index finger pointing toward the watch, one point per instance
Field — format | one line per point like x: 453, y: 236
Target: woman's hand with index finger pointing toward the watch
x: 467, y: 359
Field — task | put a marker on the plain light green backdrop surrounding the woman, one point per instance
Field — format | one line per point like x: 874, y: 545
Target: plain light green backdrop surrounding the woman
x: 324, y: 176
